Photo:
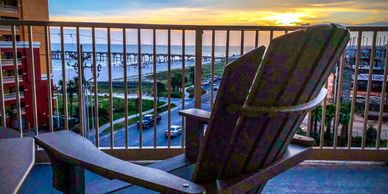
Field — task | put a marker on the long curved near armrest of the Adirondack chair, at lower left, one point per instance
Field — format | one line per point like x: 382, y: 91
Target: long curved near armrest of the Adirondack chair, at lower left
x: 66, y: 147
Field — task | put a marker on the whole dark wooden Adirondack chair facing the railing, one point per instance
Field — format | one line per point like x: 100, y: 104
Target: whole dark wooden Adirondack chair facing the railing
x: 249, y: 135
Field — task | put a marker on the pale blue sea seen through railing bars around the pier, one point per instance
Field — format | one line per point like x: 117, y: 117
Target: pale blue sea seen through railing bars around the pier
x: 132, y: 70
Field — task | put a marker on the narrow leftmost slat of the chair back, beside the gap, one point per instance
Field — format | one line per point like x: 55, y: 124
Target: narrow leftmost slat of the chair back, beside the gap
x: 234, y: 88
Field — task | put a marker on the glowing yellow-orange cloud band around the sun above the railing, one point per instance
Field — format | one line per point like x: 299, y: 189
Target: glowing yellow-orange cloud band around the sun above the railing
x: 338, y: 12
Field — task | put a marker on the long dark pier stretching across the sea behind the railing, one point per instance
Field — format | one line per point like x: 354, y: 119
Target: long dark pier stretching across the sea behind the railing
x: 131, y: 57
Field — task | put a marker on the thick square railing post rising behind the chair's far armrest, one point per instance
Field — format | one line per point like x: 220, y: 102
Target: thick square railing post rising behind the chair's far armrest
x: 198, y: 69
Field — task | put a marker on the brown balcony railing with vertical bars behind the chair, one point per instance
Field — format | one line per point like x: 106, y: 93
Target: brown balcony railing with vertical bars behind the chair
x: 171, y: 59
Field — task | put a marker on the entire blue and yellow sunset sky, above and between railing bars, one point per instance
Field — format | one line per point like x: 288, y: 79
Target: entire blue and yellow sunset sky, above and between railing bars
x: 212, y: 12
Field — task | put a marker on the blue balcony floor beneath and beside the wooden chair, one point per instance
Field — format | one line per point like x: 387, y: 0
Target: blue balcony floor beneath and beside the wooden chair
x: 305, y: 178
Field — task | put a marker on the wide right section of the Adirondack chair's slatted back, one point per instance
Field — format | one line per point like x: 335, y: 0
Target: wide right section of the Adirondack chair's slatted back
x: 293, y: 71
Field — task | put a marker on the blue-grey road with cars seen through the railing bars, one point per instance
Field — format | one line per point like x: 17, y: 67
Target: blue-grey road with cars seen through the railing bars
x: 148, y: 134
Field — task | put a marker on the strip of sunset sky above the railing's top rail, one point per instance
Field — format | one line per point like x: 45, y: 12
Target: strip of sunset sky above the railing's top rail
x: 222, y: 12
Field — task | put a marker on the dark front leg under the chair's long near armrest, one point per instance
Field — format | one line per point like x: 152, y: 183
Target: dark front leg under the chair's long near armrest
x: 68, y: 178
